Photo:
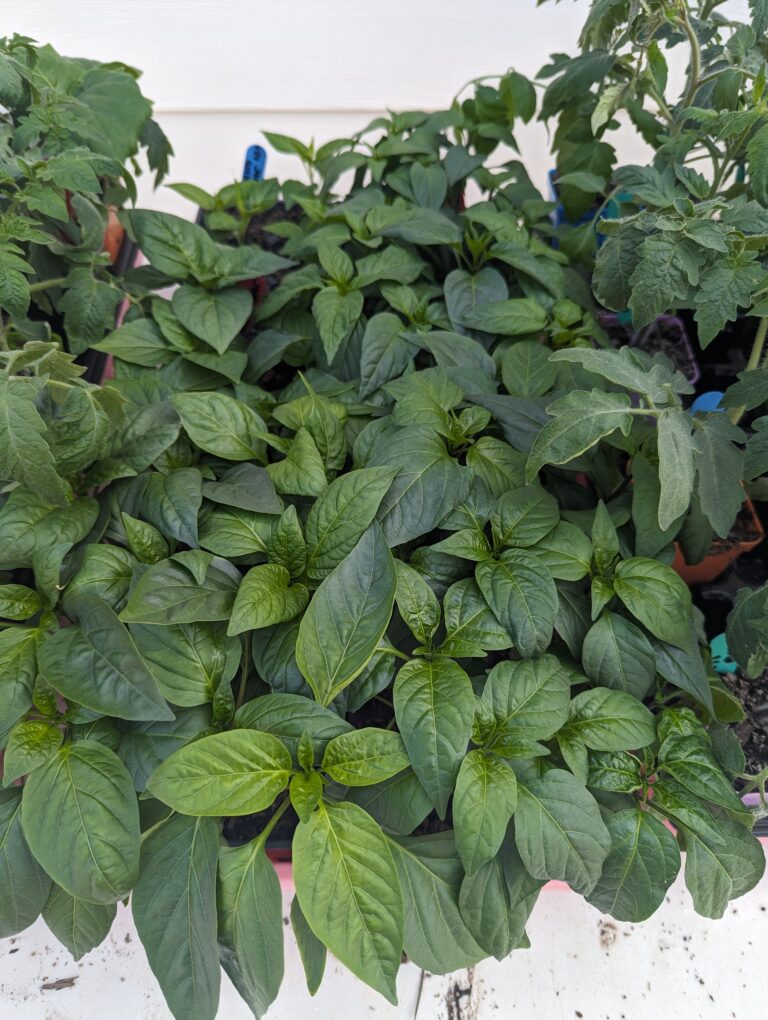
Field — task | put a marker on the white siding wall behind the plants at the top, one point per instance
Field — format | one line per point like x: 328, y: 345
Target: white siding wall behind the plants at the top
x: 223, y: 71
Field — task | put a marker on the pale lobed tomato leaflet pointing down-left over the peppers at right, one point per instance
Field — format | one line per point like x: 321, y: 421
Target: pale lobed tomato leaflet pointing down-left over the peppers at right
x: 580, y: 421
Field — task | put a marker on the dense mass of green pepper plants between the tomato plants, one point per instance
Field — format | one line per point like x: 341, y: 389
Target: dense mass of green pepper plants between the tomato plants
x: 360, y: 562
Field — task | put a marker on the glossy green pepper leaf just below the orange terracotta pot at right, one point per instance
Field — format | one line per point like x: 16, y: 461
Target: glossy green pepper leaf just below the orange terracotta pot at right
x: 656, y: 596
